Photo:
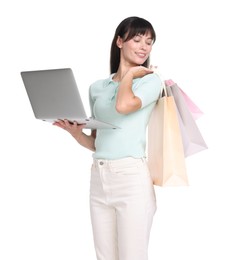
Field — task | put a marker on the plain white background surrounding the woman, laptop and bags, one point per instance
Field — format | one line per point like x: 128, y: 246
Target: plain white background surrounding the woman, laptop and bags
x: 44, y: 174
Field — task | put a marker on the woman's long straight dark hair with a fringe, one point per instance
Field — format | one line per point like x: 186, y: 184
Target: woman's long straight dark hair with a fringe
x: 127, y: 29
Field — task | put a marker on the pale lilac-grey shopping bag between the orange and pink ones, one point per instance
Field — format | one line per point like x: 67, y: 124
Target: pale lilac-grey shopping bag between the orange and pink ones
x: 192, y: 139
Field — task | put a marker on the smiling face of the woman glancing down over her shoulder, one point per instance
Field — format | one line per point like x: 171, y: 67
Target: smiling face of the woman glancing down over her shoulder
x: 137, y: 50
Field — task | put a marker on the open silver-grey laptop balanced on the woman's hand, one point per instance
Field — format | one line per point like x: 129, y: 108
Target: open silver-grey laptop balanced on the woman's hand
x: 54, y: 95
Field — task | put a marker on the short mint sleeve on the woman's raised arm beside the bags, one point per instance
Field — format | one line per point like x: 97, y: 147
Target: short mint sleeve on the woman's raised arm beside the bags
x: 148, y: 89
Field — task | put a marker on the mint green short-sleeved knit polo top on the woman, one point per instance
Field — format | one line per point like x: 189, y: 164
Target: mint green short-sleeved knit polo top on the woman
x: 130, y: 139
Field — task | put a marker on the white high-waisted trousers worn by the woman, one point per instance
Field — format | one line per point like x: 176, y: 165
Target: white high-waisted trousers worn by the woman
x: 122, y: 206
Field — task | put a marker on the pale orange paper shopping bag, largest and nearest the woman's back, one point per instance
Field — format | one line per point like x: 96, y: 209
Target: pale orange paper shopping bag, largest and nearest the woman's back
x: 165, y: 153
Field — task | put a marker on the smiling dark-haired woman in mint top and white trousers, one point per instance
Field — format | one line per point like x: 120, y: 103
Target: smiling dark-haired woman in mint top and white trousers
x: 122, y: 197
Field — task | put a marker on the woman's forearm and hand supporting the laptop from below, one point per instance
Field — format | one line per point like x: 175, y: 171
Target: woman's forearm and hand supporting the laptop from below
x: 75, y: 130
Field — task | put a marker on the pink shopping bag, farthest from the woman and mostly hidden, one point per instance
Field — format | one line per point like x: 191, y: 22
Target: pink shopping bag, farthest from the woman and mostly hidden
x: 193, y: 108
